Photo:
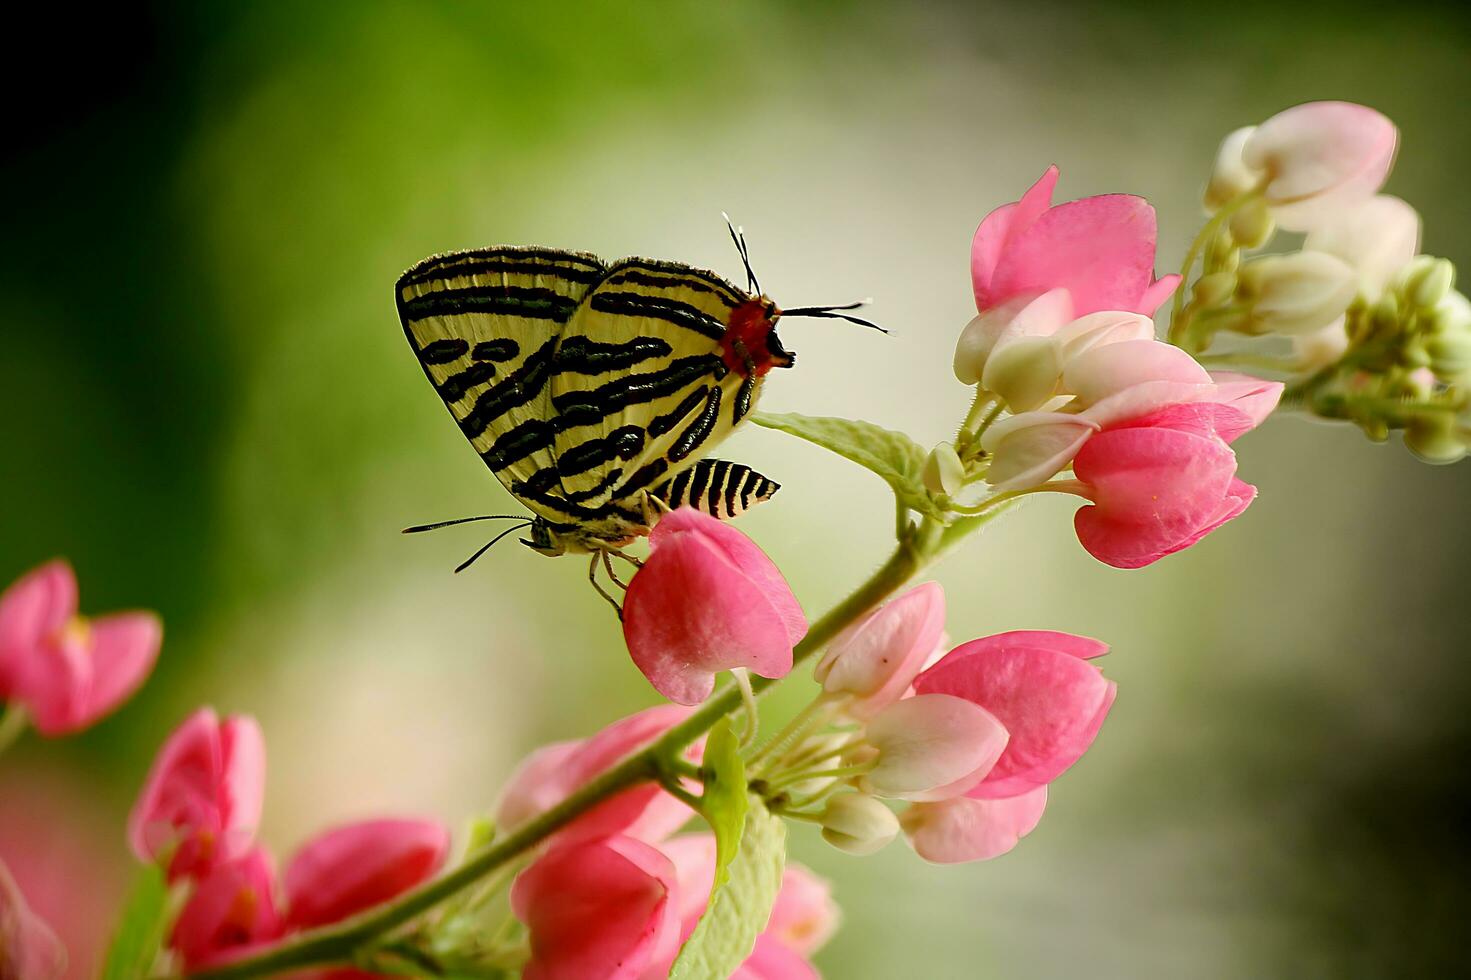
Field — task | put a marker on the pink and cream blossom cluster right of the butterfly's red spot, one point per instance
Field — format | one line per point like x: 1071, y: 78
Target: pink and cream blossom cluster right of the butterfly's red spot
x: 1066, y: 348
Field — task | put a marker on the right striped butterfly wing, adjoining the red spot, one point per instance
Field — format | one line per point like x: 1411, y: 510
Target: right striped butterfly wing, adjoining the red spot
x: 639, y: 385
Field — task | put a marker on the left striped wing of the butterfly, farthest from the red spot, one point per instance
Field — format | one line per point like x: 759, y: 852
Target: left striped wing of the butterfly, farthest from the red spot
x: 485, y: 326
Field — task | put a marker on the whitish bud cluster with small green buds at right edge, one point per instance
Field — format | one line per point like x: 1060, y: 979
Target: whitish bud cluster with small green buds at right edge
x: 1379, y: 335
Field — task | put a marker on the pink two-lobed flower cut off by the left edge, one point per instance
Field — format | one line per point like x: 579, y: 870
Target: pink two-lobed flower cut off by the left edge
x: 65, y: 670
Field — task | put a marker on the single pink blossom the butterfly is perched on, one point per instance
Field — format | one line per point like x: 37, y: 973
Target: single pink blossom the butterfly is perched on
x: 708, y: 601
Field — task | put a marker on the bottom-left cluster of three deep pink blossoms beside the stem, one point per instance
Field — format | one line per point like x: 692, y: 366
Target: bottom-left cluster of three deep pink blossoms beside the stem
x: 198, y: 817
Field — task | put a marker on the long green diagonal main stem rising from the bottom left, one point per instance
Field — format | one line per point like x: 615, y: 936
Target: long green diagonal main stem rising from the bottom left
x: 338, y: 944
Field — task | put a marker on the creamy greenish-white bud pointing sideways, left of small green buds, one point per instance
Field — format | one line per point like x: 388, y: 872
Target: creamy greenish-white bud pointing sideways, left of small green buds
x: 1297, y: 294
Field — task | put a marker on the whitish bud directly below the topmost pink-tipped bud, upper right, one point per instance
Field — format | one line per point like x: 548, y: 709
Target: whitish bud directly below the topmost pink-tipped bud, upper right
x: 1378, y: 238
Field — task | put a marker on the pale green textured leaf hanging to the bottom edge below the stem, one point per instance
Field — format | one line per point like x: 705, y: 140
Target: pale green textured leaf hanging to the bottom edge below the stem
x: 742, y: 901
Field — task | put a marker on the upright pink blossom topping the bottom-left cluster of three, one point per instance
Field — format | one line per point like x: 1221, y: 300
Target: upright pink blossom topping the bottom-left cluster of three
x: 204, y: 795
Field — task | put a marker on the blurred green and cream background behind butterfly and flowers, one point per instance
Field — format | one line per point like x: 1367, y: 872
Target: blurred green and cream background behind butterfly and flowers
x: 208, y: 405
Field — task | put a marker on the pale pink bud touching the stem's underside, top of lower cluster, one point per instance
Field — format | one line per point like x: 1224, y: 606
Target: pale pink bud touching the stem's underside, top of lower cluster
x: 875, y: 661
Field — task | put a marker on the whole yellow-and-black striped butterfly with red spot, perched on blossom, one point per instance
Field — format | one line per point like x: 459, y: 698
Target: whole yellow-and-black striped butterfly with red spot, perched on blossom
x: 594, y: 391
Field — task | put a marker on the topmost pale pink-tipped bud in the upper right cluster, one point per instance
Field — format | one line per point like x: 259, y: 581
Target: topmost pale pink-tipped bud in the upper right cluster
x: 1319, y: 157
